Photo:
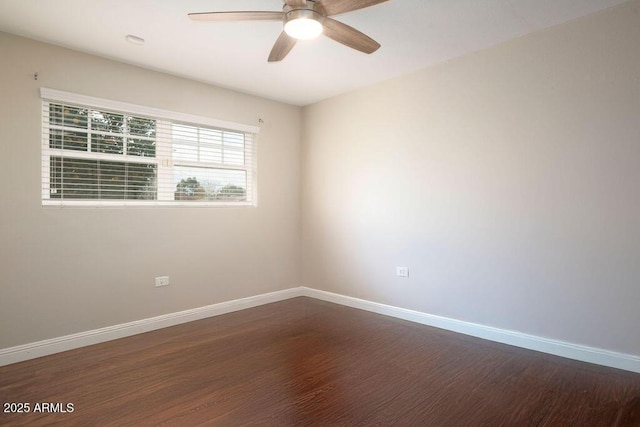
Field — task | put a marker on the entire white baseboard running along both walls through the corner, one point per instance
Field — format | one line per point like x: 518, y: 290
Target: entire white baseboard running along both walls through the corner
x: 518, y: 339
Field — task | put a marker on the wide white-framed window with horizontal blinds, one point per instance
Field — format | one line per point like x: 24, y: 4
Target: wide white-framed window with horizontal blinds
x: 97, y: 152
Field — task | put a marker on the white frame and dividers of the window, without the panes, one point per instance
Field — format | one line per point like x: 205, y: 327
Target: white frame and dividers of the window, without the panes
x: 163, y: 159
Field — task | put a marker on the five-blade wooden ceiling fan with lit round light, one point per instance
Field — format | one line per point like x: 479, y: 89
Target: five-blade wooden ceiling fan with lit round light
x: 303, y: 20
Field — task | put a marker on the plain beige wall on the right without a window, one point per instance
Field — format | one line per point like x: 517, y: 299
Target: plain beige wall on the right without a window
x: 508, y: 181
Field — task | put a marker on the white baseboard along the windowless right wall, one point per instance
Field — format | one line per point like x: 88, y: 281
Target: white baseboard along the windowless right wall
x: 559, y: 348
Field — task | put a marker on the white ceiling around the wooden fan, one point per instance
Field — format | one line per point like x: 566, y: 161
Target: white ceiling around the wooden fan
x: 413, y: 33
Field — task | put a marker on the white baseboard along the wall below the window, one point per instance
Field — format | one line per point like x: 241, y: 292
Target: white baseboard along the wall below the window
x: 82, y: 339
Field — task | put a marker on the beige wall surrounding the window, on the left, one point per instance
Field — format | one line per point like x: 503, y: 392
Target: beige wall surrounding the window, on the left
x: 69, y: 270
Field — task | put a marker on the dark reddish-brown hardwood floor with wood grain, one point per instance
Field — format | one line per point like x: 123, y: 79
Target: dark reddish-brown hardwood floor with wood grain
x: 308, y: 362
